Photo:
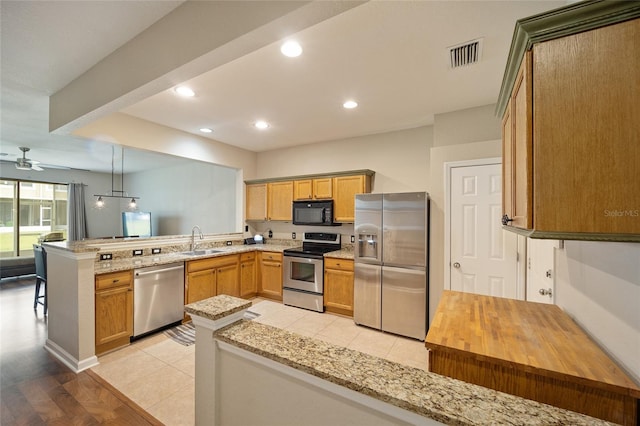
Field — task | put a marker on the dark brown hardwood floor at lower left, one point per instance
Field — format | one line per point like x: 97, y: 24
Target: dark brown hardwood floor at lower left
x: 37, y: 389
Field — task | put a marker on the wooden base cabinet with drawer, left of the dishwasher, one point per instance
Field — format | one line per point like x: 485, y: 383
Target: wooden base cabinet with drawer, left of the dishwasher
x: 114, y: 310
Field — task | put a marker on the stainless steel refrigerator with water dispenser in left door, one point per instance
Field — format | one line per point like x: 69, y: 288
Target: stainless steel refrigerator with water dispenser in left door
x: 391, y: 256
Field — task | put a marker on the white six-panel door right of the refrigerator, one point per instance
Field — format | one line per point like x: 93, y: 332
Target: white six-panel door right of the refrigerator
x: 483, y: 256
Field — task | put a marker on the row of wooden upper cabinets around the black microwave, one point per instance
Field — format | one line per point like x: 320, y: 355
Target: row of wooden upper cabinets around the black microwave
x: 272, y: 199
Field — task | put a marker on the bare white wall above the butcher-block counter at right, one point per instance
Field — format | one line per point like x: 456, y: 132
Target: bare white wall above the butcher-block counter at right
x: 598, y: 284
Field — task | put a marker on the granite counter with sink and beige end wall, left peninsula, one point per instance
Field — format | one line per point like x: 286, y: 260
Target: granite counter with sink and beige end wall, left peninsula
x: 73, y: 267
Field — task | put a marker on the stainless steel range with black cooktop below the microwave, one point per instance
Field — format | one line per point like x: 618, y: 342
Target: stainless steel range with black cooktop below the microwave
x: 303, y: 284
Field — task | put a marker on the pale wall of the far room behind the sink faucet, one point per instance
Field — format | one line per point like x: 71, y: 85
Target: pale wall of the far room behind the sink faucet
x: 182, y: 196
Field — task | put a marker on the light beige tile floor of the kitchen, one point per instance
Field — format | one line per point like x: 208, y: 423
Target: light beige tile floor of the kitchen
x: 158, y: 373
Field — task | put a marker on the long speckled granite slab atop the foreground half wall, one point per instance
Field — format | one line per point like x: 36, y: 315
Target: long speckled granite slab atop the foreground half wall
x: 434, y: 396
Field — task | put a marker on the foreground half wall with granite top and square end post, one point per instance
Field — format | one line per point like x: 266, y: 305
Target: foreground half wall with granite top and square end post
x: 293, y: 379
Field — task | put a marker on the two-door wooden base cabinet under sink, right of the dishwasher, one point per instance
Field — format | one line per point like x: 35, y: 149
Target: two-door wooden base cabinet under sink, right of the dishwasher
x: 212, y: 276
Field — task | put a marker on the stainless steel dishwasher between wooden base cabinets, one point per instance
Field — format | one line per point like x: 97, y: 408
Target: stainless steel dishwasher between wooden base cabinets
x: 158, y: 297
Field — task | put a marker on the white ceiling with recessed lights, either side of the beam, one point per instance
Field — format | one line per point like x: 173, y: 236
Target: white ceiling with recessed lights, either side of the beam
x: 390, y: 56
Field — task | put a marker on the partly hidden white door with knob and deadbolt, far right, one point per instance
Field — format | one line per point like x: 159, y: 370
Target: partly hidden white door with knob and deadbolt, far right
x: 541, y: 270
